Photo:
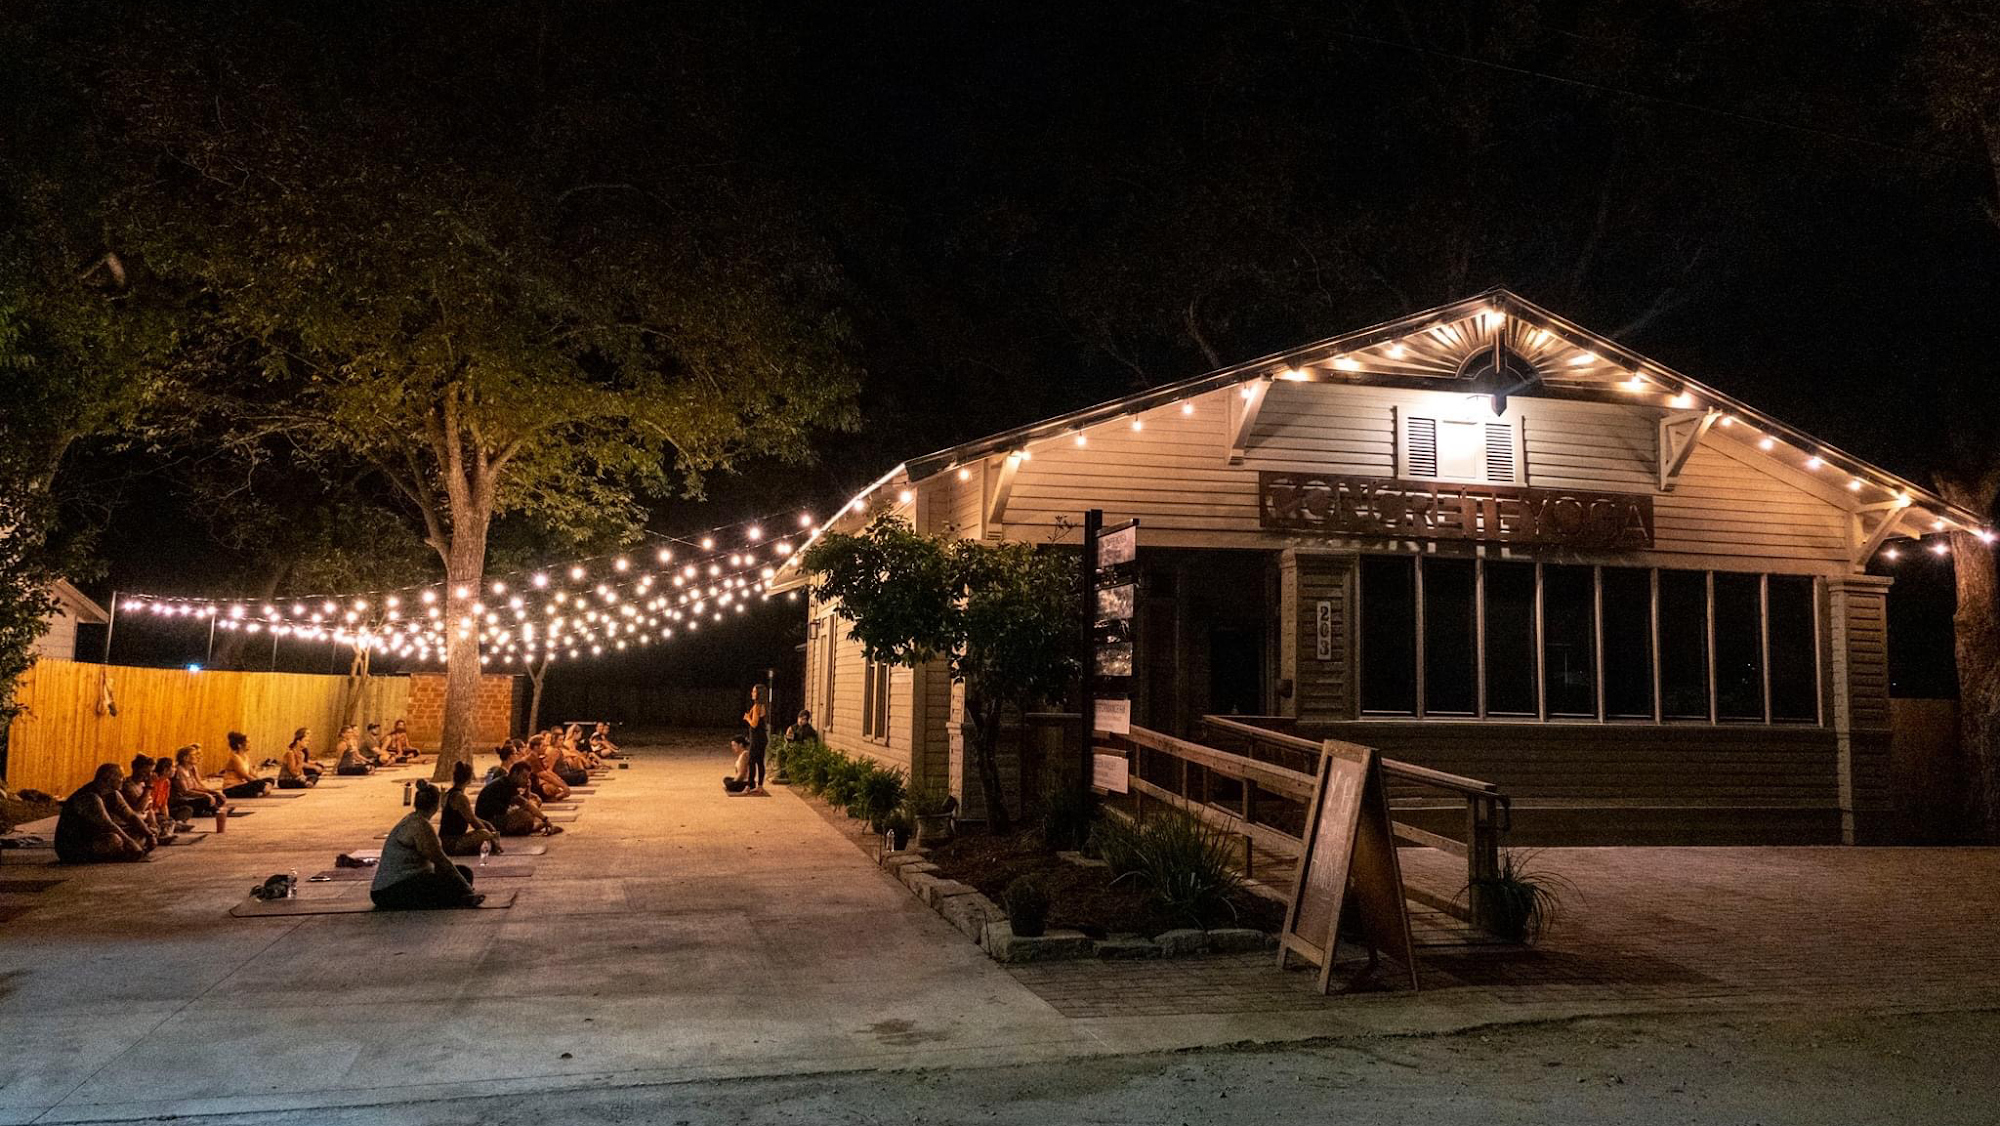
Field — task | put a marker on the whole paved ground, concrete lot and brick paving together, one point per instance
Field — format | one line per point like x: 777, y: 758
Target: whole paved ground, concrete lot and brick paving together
x: 681, y: 935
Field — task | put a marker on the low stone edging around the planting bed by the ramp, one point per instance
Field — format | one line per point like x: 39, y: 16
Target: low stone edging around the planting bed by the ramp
x: 985, y: 923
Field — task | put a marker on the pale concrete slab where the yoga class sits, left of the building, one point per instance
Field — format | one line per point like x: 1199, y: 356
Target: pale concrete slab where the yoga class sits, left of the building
x: 671, y: 933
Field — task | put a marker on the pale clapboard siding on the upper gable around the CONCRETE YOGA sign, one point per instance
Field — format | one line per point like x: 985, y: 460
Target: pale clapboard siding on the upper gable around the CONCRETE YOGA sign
x: 1175, y: 475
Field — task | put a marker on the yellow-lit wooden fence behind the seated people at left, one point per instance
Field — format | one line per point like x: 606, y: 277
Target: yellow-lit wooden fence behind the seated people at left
x: 63, y: 735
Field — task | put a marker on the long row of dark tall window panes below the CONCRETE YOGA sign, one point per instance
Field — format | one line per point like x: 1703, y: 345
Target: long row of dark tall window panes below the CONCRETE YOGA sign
x: 1555, y: 641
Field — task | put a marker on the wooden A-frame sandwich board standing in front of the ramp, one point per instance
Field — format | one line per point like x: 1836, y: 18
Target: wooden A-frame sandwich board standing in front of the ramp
x: 1349, y: 869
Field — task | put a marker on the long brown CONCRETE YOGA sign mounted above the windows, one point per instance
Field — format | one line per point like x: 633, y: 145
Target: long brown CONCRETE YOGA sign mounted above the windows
x: 1443, y: 511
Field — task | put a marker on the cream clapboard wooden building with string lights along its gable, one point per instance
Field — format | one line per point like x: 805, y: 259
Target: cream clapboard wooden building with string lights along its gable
x: 1481, y: 539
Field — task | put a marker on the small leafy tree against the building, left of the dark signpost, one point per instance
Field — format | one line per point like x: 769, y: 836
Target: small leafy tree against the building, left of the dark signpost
x: 1003, y: 615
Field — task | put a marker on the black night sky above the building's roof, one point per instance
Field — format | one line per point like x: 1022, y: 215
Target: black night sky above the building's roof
x: 1025, y: 199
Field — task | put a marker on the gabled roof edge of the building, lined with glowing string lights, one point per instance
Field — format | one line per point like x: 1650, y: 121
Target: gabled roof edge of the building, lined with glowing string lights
x: 1443, y: 349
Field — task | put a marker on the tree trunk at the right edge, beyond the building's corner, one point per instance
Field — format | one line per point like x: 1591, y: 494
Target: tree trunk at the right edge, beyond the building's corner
x: 1977, y: 647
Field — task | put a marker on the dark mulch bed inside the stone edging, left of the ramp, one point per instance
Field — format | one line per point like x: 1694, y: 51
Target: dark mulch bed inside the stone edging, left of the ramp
x: 1079, y: 899
